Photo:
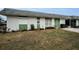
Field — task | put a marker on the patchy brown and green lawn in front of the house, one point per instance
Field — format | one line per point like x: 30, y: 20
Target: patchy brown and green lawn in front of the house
x: 40, y: 40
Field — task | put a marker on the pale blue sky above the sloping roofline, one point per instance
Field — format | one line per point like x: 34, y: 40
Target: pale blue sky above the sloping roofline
x: 62, y: 11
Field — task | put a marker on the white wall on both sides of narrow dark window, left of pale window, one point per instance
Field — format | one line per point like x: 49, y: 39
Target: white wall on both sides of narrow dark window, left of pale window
x: 13, y: 22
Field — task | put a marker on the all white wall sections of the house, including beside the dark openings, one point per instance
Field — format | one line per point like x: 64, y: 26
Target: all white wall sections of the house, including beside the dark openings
x: 13, y: 22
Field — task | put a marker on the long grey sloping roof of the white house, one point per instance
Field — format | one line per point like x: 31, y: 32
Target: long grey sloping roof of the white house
x: 15, y: 12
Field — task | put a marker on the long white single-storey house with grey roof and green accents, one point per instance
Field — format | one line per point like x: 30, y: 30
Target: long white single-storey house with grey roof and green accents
x: 26, y: 20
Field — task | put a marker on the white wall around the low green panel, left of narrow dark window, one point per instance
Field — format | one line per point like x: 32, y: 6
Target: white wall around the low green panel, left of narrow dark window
x: 13, y: 22
